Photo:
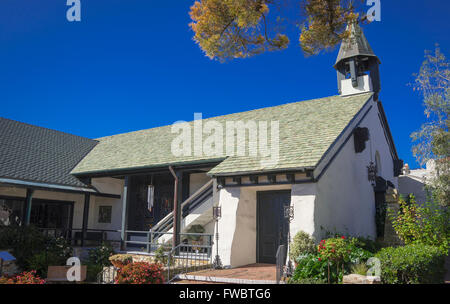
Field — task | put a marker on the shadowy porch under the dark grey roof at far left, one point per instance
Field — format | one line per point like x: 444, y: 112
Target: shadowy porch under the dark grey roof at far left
x: 58, y: 211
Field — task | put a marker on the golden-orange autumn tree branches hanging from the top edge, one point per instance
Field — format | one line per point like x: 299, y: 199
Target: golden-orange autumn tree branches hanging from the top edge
x: 227, y: 29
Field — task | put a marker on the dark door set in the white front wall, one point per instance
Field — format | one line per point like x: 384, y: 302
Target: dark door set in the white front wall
x: 272, y: 227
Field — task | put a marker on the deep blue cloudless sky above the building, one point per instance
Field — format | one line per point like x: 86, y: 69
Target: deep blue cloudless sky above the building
x: 131, y: 65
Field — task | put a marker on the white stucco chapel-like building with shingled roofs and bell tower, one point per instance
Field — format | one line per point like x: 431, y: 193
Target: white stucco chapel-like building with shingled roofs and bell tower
x: 335, y: 160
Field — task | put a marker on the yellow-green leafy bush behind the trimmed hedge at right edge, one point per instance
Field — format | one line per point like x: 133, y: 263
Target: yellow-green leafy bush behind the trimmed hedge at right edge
x: 427, y: 224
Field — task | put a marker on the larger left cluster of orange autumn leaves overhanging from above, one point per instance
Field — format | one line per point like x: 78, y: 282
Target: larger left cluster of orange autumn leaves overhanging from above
x: 227, y: 29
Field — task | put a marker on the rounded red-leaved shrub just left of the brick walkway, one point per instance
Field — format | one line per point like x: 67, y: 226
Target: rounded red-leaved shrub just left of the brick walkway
x: 140, y: 273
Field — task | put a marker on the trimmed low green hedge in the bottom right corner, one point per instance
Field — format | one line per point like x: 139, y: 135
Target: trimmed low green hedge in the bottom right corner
x: 411, y: 264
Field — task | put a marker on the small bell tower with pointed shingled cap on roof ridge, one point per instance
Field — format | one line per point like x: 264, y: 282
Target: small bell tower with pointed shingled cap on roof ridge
x: 357, y: 65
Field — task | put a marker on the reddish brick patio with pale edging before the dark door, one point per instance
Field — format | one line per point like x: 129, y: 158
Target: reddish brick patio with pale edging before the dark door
x: 249, y: 274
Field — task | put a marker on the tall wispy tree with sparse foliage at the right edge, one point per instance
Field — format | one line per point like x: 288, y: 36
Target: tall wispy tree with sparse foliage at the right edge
x: 433, y: 139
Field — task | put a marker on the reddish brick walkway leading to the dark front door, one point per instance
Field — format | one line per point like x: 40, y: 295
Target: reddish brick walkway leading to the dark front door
x: 253, y: 272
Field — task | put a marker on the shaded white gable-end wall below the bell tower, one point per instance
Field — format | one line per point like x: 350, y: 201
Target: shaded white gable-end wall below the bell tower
x: 345, y: 201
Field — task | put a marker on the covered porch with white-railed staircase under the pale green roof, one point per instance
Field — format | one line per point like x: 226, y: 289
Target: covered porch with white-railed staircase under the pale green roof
x: 159, y: 206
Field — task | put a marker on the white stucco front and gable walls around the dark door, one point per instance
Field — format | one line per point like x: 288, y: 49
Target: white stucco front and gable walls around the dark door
x: 342, y: 201
